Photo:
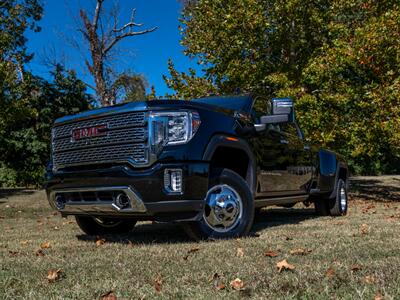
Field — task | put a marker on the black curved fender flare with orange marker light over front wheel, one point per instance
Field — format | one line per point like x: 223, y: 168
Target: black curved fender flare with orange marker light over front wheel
x: 221, y: 140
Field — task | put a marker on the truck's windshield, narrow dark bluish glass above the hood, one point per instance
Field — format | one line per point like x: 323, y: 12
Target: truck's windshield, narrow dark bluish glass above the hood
x: 239, y: 103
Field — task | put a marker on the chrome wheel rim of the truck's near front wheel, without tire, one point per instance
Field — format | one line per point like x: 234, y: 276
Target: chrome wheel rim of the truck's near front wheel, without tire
x: 223, y: 209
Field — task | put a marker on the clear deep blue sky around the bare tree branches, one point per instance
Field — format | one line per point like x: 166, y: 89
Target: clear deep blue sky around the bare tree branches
x: 145, y: 54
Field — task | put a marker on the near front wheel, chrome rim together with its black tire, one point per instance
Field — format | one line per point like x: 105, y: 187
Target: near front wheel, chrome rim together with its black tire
x: 228, y: 211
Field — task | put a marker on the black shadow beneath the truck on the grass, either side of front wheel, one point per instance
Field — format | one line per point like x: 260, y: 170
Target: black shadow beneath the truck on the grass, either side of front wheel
x: 169, y: 233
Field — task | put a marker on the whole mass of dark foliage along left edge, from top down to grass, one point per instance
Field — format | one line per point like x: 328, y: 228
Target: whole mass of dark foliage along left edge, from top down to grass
x: 29, y: 104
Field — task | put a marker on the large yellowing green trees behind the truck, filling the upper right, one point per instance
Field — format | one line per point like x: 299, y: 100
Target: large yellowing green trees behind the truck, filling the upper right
x: 338, y: 59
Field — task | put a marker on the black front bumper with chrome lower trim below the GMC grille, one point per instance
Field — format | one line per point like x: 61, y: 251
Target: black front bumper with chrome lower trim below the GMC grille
x: 95, y: 192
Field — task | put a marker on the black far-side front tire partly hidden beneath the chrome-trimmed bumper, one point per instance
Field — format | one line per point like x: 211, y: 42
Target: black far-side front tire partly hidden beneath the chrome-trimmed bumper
x: 100, y: 226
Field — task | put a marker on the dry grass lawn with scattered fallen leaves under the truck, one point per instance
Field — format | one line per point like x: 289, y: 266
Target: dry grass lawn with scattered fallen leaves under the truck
x: 352, y: 257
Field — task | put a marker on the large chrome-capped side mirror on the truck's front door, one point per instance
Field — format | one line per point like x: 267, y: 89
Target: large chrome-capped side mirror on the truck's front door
x: 282, y: 112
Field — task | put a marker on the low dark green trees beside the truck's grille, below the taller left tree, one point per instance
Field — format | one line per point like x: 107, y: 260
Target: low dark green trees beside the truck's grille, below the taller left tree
x: 25, y: 134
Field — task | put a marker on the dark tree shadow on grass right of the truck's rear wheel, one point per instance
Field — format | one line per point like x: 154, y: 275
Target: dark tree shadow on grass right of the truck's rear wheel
x: 378, y: 189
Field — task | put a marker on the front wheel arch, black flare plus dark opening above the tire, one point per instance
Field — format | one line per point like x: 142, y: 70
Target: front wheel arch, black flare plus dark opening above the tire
x: 235, y: 154
